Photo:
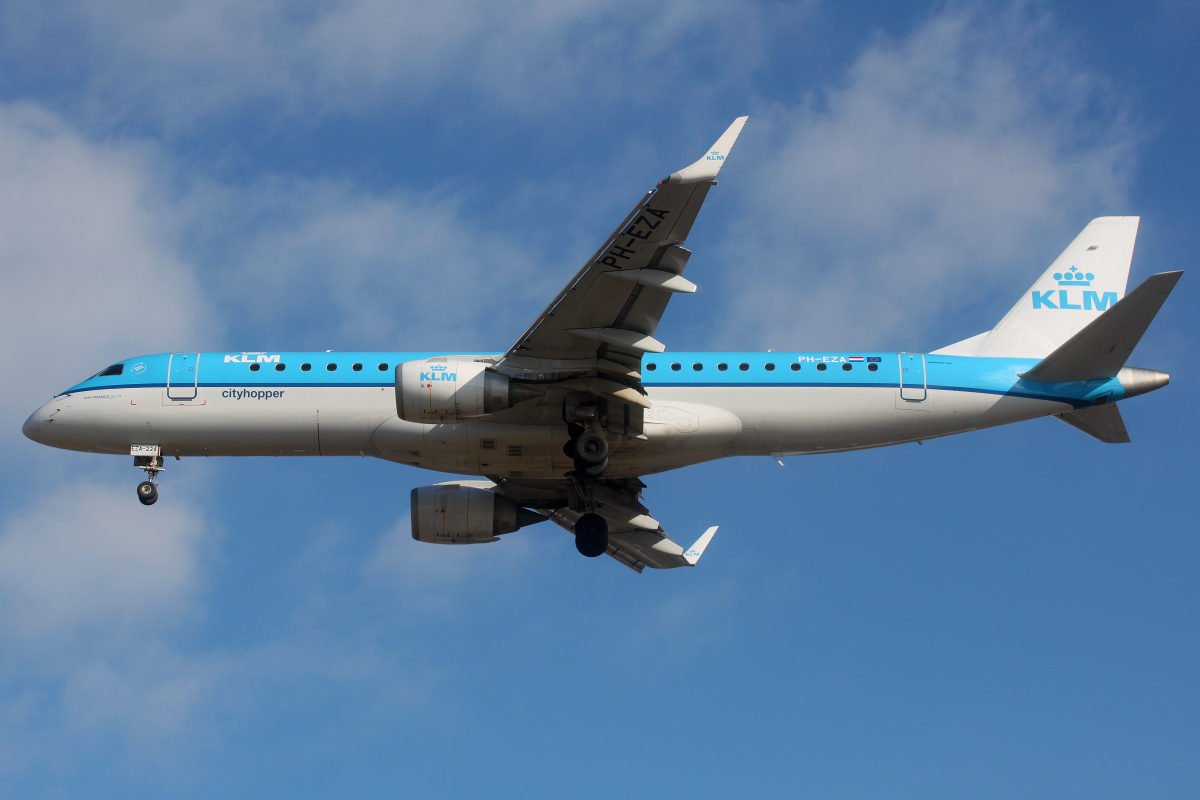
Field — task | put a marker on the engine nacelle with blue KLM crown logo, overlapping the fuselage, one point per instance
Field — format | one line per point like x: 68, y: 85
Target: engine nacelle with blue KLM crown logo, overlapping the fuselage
x: 454, y: 390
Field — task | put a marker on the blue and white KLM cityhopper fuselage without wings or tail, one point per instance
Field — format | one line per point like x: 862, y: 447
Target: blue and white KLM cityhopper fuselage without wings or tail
x: 704, y: 406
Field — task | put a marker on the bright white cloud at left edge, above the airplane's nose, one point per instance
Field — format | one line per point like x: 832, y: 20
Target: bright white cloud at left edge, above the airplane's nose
x: 87, y: 262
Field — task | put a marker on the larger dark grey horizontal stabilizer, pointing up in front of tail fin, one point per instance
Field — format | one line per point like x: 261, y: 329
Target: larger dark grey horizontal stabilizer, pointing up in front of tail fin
x: 1103, y: 346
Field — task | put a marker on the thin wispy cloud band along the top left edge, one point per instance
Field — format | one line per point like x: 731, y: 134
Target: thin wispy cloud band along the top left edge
x: 182, y: 61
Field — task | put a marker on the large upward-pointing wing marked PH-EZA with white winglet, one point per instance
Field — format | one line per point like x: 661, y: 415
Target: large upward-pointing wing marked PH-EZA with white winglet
x: 593, y: 335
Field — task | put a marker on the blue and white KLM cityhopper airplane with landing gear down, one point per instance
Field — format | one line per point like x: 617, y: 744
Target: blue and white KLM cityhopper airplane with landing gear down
x: 566, y: 423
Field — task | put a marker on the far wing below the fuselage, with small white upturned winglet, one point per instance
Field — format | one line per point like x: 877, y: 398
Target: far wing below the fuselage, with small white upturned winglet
x: 635, y: 539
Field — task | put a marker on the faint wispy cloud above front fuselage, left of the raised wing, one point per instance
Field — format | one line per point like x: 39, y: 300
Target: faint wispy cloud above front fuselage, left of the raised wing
x: 332, y: 267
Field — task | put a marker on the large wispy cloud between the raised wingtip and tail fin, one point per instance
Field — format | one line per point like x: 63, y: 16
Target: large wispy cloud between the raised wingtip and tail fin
x: 945, y: 167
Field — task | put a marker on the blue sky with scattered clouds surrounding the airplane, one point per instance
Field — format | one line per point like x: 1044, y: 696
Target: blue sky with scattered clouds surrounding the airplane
x: 1007, y: 613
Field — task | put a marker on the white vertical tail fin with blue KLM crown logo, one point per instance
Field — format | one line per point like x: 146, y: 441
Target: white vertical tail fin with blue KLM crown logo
x: 1079, y: 286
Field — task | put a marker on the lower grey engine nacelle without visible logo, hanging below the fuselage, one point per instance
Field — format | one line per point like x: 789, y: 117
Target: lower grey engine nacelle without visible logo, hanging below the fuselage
x: 452, y: 514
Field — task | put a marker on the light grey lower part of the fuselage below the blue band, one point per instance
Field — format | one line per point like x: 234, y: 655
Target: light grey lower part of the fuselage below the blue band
x: 685, y: 426
